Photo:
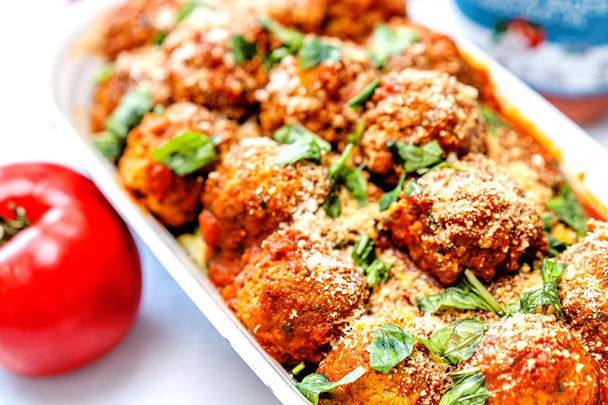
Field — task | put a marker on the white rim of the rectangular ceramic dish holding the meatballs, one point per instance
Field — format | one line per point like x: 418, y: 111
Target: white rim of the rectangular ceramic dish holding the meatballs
x: 71, y: 73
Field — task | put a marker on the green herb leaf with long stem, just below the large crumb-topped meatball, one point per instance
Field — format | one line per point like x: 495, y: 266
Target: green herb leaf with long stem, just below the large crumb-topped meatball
x: 468, y: 293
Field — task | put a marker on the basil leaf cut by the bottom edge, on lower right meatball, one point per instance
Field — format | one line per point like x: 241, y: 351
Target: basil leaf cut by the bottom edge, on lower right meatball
x: 469, y: 388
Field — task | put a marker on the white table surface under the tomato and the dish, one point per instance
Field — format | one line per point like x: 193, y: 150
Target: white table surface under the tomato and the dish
x: 173, y: 355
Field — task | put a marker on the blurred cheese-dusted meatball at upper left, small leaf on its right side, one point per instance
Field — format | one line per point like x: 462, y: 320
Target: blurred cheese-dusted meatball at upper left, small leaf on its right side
x: 202, y: 63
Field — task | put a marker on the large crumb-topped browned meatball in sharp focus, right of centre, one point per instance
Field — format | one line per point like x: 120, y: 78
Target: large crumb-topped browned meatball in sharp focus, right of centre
x: 472, y: 215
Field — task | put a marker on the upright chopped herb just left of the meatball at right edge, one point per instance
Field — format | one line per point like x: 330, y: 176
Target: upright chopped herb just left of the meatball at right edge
x: 547, y: 295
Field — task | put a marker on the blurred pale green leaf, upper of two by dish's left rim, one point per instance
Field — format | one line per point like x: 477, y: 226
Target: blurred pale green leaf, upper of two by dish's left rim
x: 129, y: 113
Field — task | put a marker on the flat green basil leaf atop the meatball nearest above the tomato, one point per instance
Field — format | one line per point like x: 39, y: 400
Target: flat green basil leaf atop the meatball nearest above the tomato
x: 186, y: 153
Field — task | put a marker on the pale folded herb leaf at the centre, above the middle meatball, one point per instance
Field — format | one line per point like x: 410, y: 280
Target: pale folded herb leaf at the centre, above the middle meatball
x: 303, y: 144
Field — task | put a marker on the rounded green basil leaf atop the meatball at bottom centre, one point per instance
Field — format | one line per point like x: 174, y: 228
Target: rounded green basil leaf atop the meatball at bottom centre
x: 390, y: 346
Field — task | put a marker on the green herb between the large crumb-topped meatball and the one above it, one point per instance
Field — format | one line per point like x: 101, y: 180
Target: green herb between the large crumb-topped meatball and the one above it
x: 415, y: 158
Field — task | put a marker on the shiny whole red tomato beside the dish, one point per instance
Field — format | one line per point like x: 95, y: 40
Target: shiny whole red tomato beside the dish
x: 70, y: 283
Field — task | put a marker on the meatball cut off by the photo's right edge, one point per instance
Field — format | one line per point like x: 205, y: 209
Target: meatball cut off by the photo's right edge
x: 583, y: 289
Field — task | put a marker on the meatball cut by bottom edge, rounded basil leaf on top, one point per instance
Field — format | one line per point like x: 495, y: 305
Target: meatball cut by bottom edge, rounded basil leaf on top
x: 419, y: 379
